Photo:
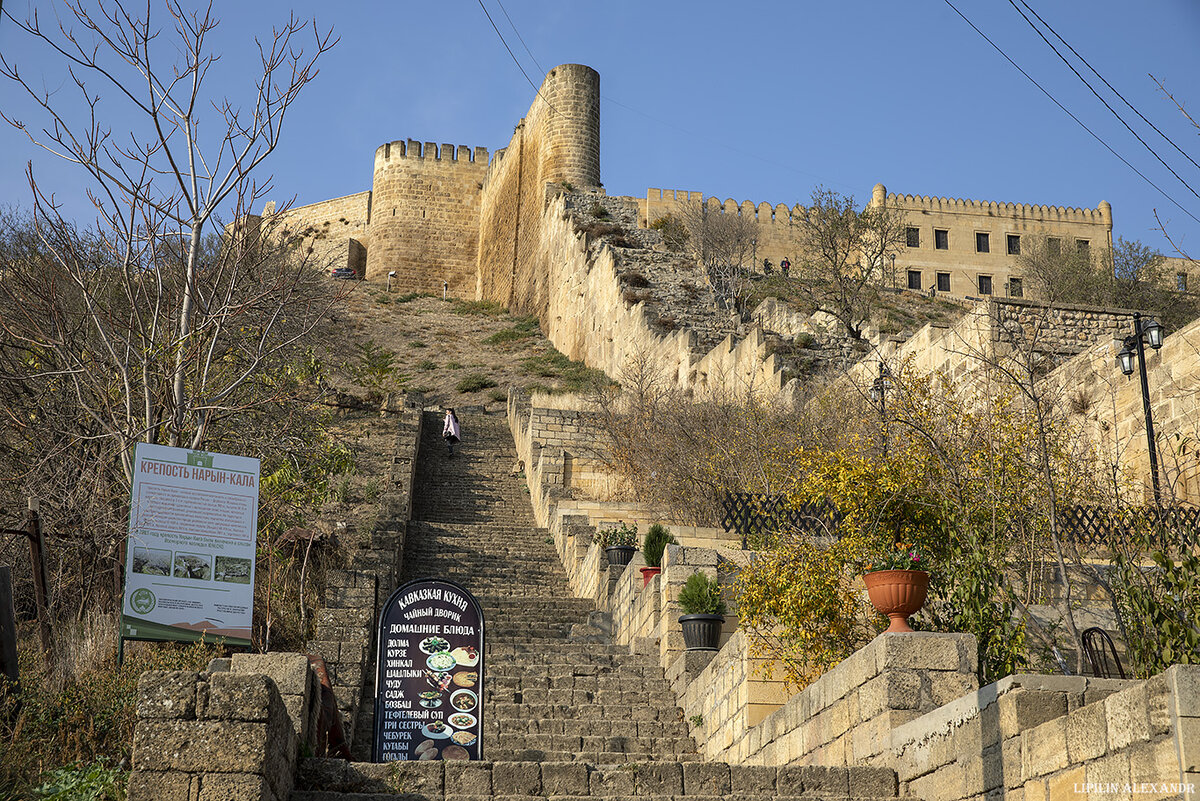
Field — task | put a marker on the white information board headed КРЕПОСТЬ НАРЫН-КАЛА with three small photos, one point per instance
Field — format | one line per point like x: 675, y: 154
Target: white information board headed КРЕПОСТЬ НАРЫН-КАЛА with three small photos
x: 190, y: 557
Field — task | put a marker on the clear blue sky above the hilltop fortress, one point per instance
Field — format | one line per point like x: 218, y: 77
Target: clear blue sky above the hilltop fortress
x: 758, y: 101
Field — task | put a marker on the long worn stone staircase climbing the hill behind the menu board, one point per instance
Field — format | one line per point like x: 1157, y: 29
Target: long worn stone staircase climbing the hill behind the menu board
x: 566, y: 712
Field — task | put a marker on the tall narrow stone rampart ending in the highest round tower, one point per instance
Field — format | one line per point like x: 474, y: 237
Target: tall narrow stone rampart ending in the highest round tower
x: 559, y: 142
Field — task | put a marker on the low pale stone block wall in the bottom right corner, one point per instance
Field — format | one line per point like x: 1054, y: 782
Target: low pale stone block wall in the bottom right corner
x: 1040, y: 738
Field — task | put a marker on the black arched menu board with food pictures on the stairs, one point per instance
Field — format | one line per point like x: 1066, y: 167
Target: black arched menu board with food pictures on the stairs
x: 430, y: 674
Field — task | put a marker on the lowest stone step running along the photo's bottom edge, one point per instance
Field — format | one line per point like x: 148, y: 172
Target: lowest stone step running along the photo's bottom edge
x: 329, y: 780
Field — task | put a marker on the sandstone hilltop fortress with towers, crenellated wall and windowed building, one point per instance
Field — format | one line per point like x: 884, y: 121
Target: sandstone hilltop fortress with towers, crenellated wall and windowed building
x: 471, y: 219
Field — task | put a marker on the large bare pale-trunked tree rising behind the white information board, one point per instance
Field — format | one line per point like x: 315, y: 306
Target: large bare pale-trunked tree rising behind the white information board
x: 154, y: 322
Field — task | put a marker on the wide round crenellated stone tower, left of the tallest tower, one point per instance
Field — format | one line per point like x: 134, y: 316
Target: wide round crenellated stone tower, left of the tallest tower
x: 425, y: 215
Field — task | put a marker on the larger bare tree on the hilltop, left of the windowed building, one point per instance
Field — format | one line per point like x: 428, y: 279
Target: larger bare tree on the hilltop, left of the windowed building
x: 844, y: 255
